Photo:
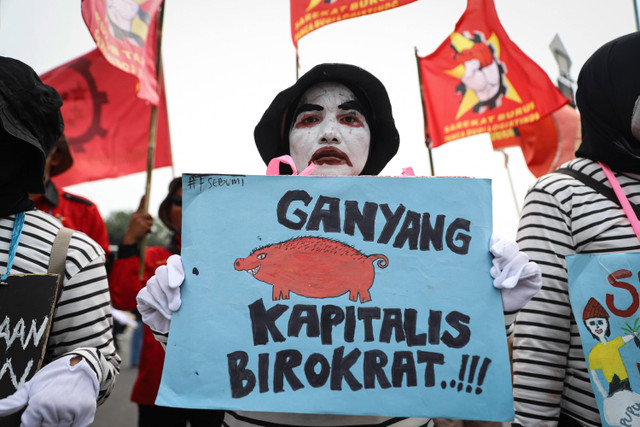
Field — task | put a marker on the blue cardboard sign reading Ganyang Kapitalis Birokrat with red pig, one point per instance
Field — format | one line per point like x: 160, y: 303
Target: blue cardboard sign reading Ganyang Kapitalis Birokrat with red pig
x: 338, y: 295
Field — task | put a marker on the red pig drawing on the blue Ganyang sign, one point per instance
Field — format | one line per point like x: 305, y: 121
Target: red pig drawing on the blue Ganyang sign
x: 314, y: 267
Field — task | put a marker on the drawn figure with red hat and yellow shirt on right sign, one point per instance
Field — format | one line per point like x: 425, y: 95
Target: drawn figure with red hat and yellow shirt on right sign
x: 621, y: 405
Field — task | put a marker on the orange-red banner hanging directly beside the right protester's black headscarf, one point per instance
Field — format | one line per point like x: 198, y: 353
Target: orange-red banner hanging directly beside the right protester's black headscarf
x: 547, y: 143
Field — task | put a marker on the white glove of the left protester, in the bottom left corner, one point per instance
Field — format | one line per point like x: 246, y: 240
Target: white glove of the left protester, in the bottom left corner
x: 58, y: 395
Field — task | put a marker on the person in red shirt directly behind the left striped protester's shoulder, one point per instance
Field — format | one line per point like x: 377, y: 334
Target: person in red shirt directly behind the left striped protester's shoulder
x: 73, y: 211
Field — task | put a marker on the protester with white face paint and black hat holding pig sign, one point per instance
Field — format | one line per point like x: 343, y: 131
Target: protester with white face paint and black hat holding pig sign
x: 337, y: 117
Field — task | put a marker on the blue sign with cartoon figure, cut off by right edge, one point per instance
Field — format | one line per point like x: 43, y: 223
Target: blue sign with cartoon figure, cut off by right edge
x: 604, y: 294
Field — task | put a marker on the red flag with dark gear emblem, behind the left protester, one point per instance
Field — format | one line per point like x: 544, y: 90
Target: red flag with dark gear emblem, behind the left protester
x: 106, y: 125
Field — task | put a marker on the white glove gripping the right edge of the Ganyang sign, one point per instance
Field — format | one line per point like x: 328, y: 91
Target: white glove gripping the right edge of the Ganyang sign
x: 518, y: 278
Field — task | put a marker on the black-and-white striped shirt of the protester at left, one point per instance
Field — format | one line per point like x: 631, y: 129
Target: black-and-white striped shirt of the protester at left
x: 82, y: 322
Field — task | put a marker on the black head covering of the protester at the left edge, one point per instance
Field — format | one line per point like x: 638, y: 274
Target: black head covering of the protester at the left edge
x: 30, y: 125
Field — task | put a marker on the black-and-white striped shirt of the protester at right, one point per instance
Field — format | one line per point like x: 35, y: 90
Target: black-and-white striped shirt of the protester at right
x: 562, y: 216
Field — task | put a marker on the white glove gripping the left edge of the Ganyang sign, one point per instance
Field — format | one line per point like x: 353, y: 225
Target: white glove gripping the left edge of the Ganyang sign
x: 161, y: 297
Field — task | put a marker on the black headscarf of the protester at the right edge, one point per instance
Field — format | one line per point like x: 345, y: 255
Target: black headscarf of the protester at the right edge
x: 608, y: 86
